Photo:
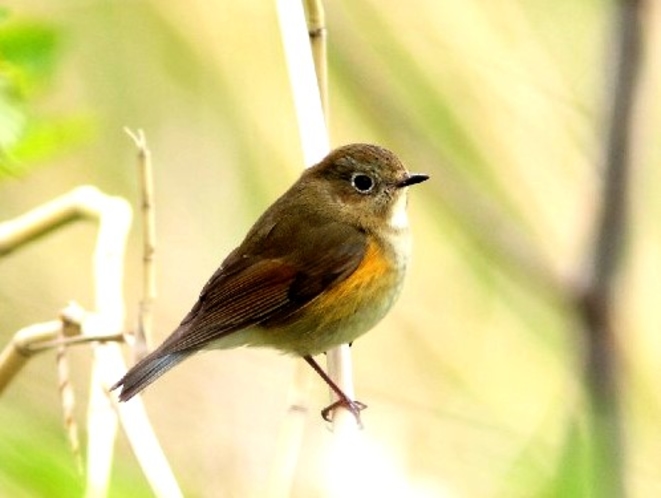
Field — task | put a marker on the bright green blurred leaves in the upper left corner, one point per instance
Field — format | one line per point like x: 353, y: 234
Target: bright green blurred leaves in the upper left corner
x: 29, y: 55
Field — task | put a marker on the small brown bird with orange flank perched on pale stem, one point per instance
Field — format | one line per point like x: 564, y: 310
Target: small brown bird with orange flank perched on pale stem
x: 318, y: 269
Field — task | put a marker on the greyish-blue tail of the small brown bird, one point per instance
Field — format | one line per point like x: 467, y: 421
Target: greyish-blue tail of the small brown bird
x: 146, y: 371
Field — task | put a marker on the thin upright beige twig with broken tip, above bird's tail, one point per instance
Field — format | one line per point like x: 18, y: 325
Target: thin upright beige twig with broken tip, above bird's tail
x: 143, y: 334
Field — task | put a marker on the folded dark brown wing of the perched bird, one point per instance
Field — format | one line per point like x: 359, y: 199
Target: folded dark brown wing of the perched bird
x: 268, y: 279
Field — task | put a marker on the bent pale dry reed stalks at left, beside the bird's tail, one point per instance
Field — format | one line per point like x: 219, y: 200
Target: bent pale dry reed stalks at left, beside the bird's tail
x: 102, y: 328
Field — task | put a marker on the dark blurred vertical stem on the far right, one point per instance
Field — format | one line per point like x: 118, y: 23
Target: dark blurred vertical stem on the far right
x: 597, y: 303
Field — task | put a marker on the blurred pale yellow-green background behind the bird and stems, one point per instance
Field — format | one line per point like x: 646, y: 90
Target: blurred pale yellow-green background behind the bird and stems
x: 474, y: 380
